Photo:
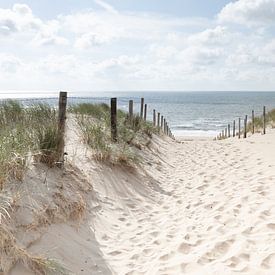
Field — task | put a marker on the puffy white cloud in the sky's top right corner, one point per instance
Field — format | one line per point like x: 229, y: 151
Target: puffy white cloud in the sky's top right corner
x: 249, y: 12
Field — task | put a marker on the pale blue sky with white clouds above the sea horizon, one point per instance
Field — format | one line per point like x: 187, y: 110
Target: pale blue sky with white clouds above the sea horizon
x: 137, y: 45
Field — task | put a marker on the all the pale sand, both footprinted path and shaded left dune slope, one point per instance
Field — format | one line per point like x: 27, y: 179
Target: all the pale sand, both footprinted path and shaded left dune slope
x: 195, y: 206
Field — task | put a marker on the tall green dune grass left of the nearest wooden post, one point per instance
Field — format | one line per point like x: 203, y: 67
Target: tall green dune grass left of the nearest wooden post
x: 24, y: 131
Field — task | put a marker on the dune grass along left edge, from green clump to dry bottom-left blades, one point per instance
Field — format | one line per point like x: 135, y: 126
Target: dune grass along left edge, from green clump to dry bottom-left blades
x: 23, y: 132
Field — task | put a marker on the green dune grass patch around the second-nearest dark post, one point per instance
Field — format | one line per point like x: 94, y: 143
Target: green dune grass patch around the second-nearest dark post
x: 94, y: 121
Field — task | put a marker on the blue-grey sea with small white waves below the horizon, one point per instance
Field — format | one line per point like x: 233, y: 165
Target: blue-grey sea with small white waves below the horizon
x: 187, y: 113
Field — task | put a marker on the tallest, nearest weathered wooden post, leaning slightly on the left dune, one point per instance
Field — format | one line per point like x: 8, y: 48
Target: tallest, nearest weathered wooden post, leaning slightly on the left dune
x: 61, y: 128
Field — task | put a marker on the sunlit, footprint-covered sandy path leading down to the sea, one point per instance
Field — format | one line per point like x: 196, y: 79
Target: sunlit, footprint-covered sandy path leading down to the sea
x: 202, y: 207
